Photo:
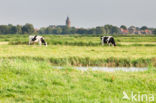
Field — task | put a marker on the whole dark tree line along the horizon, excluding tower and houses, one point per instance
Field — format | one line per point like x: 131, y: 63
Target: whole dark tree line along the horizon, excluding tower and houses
x: 29, y: 29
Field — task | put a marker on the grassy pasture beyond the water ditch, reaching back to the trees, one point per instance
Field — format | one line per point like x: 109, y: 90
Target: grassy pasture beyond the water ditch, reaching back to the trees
x: 138, y: 51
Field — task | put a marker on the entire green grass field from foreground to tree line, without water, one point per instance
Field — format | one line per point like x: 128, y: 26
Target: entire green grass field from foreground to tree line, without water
x: 27, y: 74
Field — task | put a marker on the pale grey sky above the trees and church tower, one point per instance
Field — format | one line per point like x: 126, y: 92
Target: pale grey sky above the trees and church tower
x: 82, y: 13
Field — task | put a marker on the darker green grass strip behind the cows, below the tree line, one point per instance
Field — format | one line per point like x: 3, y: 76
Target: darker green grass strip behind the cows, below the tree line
x: 78, y: 40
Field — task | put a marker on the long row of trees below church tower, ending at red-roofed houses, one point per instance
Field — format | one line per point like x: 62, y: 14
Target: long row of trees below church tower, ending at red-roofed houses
x: 107, y: 29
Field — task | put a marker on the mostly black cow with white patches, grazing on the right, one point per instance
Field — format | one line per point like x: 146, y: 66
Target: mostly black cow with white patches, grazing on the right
x: 108, y: 40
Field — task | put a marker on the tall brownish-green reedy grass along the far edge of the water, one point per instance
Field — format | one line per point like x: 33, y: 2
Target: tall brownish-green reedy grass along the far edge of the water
x: 77, y: 61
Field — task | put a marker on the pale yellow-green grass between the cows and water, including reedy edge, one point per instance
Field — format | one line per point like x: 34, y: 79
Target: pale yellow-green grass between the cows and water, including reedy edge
x: 83, y: 55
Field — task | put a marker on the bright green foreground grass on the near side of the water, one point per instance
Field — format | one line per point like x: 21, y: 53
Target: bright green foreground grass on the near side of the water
x: 33, y: 81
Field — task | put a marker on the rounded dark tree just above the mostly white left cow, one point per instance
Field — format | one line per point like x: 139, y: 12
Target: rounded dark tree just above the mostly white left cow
x: 28, y: 28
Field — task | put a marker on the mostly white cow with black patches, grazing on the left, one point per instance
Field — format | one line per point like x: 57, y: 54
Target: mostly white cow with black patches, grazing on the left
x: 36, y: 38
